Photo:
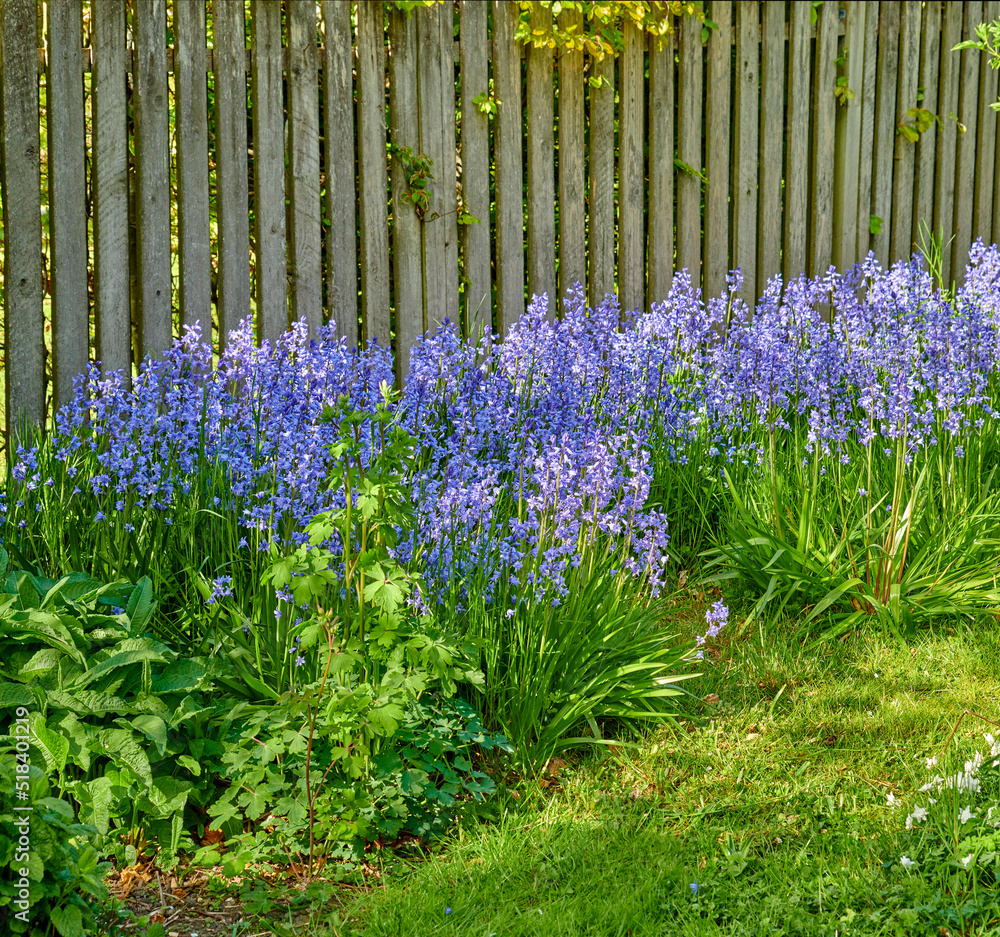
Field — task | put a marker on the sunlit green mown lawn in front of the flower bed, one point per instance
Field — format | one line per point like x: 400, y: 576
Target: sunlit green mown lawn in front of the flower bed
x: 772, y: 800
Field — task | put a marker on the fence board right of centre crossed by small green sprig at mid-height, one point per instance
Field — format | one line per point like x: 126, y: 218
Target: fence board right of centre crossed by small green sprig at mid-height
x: 689, y: 87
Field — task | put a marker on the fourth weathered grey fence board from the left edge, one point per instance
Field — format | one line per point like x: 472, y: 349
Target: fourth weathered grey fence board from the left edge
x: 152, y: 169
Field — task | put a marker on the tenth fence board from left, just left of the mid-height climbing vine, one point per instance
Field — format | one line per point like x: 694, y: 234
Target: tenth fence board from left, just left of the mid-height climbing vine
x: 373, y: 180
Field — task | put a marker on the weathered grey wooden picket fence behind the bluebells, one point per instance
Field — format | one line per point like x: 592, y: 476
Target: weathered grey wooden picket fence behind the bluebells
x: 166, y: 162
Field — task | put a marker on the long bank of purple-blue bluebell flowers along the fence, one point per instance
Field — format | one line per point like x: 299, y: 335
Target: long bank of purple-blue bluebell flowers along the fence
x: 532, y: 447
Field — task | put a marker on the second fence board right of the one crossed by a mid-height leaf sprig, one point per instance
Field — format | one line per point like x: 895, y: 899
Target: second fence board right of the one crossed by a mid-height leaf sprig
x: 745, y: 149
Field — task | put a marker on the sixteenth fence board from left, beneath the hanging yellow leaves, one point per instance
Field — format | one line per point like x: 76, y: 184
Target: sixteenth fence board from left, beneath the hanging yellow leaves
x: 572, y: 159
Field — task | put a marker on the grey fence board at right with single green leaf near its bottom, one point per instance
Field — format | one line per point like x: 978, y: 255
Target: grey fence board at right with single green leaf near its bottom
x: 885, y: 125
